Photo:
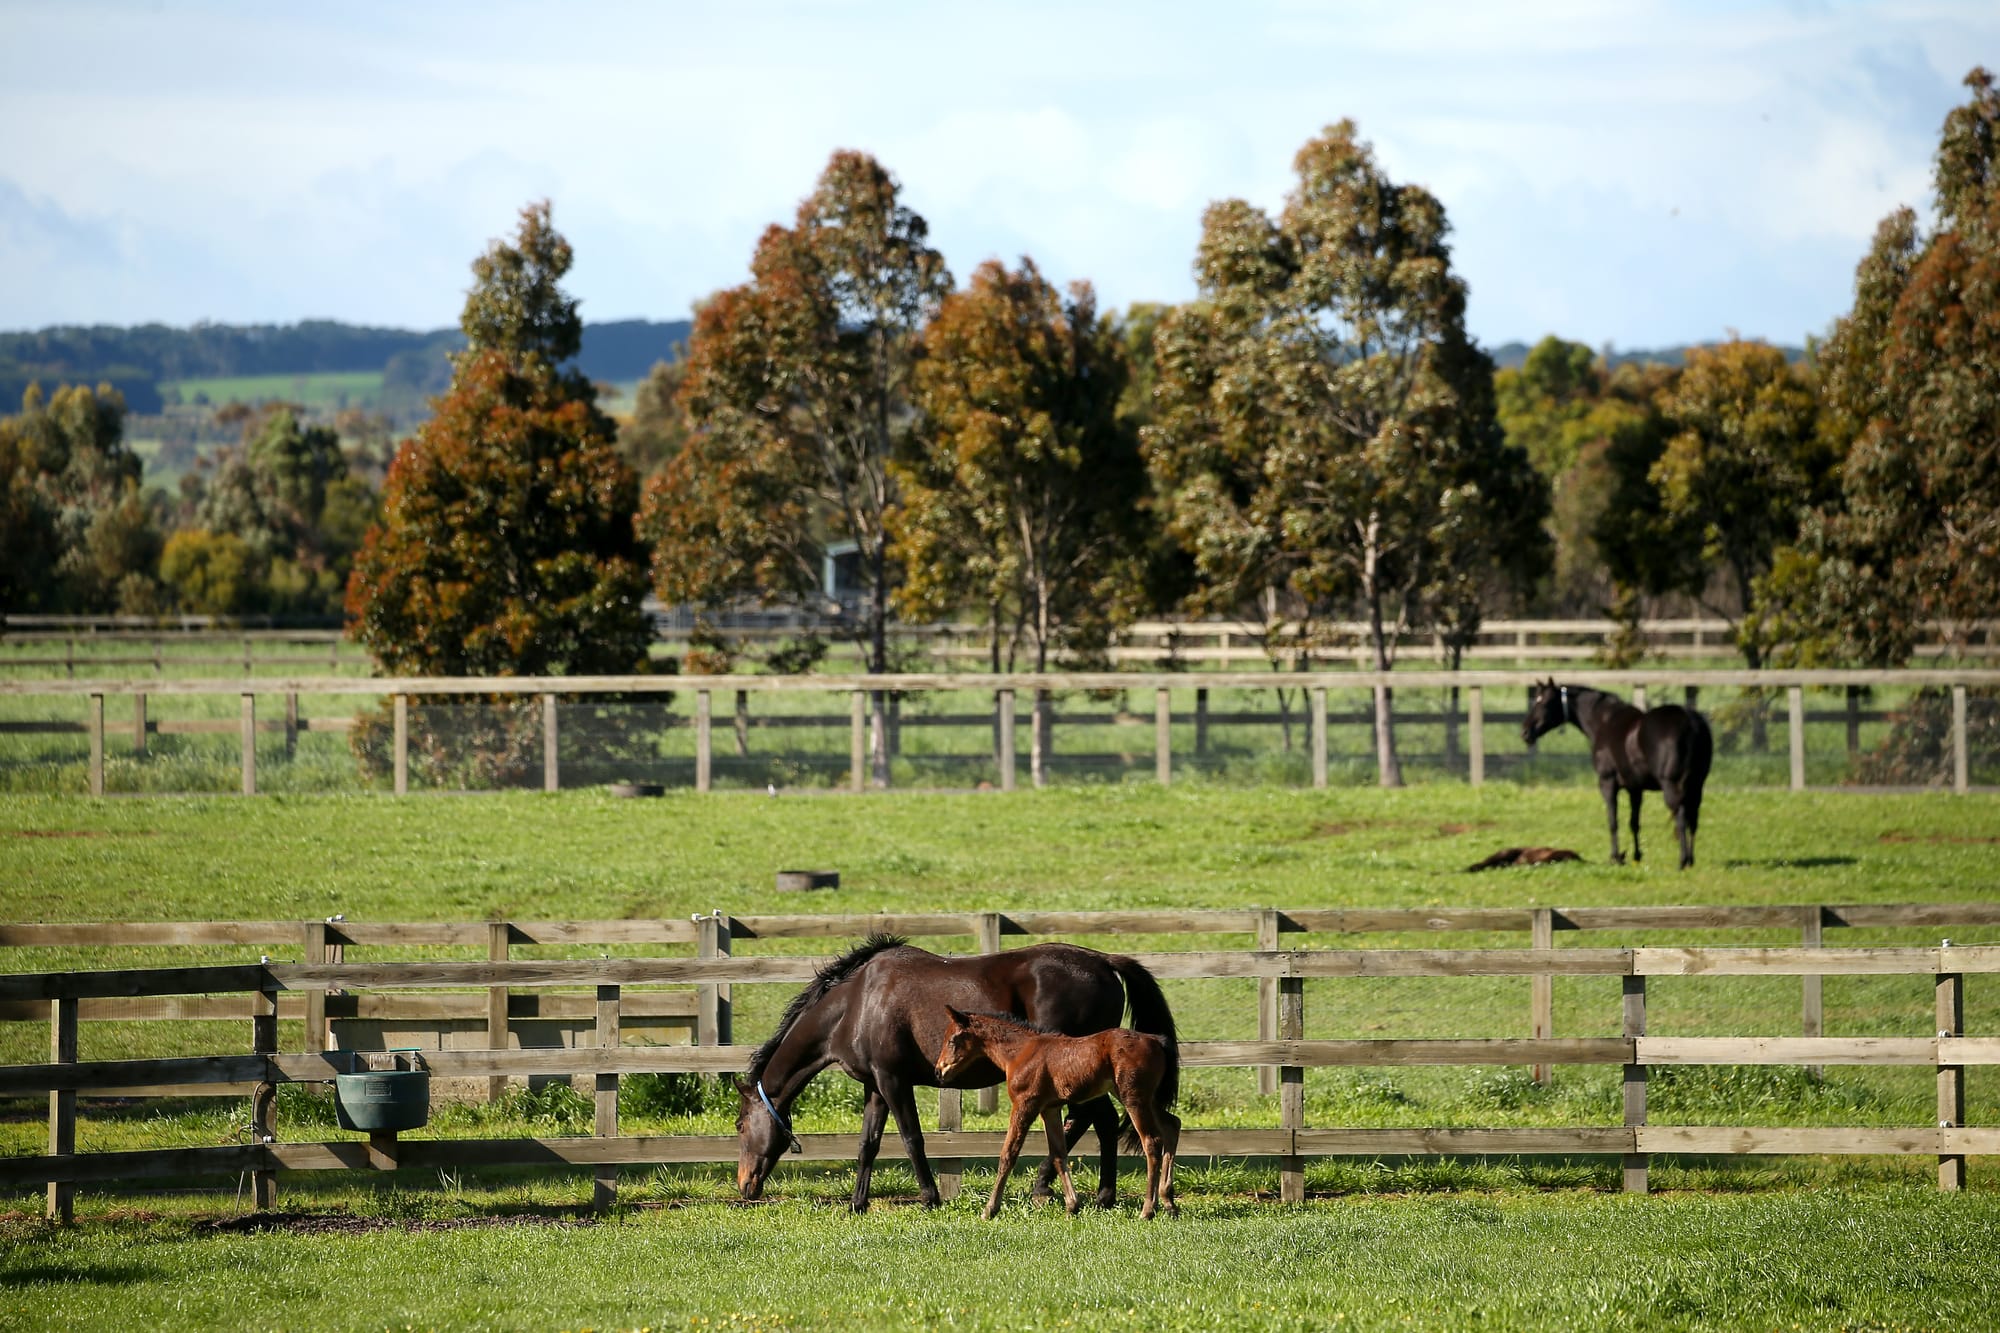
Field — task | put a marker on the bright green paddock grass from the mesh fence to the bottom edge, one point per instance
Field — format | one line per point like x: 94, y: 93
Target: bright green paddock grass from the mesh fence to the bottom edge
x: 1381, y: 1244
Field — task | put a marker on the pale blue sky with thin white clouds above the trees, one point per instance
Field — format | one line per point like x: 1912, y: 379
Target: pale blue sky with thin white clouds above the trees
x: 1633, y: 173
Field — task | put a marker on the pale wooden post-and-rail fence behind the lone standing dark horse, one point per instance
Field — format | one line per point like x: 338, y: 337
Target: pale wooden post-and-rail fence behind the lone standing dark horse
x: 1315, y: 686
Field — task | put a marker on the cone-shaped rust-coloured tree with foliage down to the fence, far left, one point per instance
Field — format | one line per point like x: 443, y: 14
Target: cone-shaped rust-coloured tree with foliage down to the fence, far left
x: 507, y: 539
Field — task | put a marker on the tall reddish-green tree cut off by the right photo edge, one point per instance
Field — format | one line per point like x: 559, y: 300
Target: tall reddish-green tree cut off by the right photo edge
x: 1913, y: 403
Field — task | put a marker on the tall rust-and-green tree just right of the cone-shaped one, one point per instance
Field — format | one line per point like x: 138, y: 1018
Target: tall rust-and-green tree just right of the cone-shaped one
x: 799, y: 389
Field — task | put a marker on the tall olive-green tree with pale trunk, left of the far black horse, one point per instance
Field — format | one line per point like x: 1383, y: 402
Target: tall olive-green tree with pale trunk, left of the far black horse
x: 1321, y: 413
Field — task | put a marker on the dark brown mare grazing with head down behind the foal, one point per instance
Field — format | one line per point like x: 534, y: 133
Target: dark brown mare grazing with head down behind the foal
x: 879, y: 1014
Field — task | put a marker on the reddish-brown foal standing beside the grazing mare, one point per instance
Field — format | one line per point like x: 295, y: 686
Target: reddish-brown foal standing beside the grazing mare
x: 1045, y: 1072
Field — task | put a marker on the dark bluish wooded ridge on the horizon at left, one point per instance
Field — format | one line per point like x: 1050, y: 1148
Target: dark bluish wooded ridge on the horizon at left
x: 137, y: 361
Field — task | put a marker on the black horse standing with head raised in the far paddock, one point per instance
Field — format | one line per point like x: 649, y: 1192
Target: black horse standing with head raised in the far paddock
x: 1663, y: 750
